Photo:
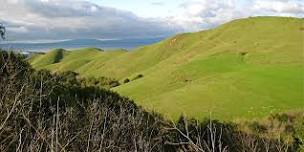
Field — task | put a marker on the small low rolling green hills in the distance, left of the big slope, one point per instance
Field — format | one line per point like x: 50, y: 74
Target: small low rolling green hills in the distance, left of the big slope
x: 84, y: 61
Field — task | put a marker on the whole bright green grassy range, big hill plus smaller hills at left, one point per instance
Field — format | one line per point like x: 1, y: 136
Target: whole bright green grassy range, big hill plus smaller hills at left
x: 244, y: 68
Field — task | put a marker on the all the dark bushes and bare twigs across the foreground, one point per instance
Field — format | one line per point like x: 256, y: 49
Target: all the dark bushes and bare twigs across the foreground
x: 40, y: 111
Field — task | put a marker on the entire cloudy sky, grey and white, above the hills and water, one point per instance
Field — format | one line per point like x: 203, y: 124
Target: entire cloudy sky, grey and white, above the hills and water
x: 66, y: 19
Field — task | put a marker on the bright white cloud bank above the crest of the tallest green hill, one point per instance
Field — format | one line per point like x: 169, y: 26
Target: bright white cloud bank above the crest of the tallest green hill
x: 200, y: 14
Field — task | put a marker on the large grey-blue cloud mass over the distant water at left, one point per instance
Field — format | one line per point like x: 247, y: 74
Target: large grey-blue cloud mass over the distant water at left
x: 58, y: 19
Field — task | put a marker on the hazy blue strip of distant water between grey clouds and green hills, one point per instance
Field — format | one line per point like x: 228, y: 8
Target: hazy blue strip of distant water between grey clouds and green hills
x: 42, y: 46
